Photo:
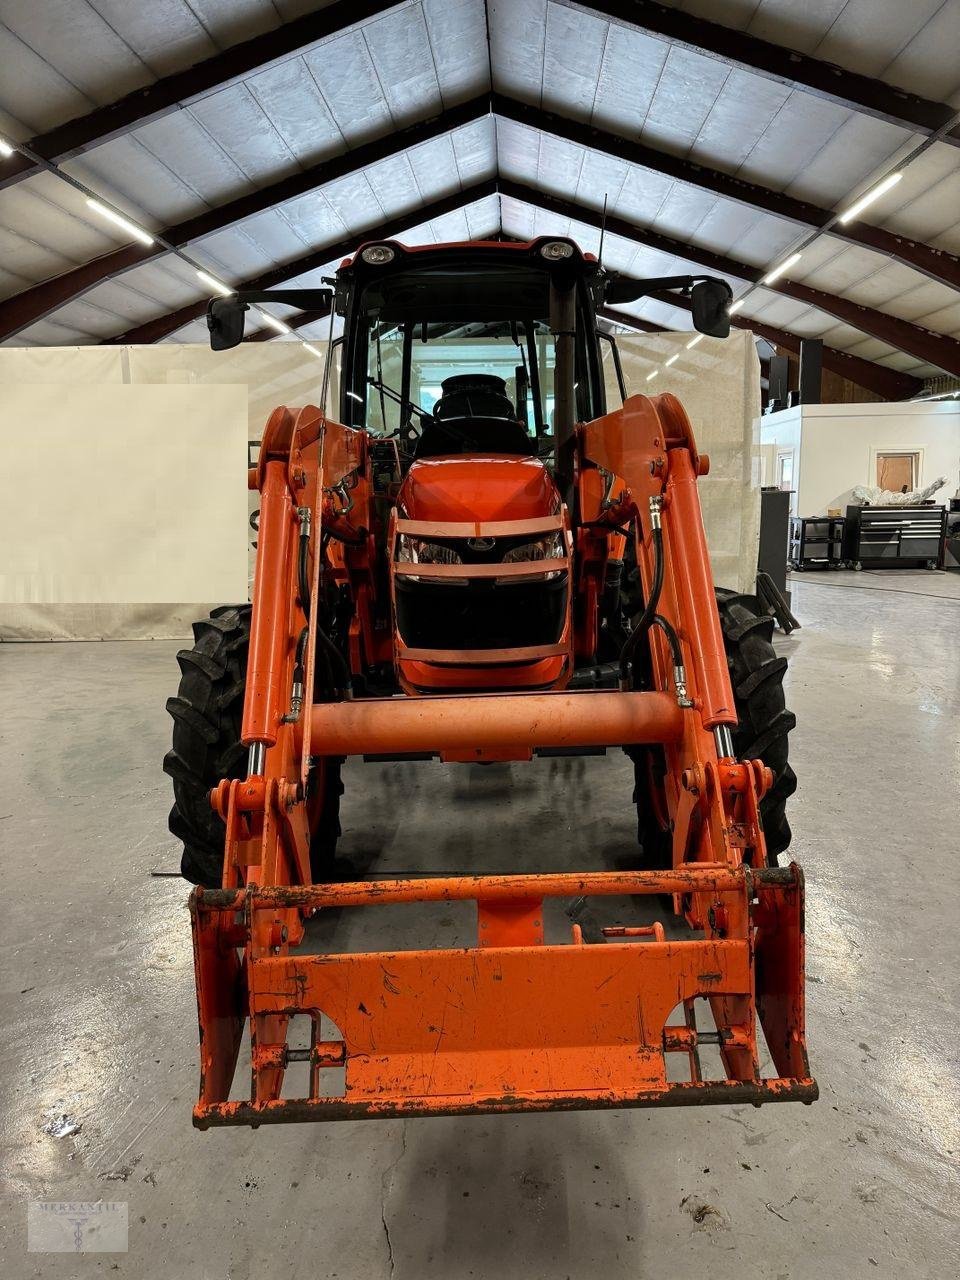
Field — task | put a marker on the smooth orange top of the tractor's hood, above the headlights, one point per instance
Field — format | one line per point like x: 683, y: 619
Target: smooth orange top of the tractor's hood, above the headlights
x: 477, y: 487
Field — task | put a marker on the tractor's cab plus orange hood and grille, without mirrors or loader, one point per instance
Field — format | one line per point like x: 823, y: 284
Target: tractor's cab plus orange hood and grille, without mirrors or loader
x: 477, y: 360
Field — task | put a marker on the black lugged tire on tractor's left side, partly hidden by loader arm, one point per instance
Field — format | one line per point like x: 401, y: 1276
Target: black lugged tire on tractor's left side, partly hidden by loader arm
x: 208, y: 712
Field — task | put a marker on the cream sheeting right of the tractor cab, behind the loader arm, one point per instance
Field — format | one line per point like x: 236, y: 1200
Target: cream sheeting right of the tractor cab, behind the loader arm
x: 719, y: 382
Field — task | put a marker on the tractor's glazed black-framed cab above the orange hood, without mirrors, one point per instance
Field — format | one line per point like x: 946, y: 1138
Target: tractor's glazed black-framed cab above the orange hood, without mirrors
x: 472, y: 349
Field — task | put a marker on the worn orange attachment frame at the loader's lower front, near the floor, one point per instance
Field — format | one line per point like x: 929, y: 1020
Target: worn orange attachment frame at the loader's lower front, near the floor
x: 511, y: 1025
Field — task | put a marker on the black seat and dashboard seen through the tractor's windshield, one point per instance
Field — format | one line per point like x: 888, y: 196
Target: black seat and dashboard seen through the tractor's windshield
x: 474, y: 415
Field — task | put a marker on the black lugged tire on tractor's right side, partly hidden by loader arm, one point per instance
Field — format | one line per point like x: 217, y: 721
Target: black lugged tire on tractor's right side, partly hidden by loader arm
x: 764, y: 725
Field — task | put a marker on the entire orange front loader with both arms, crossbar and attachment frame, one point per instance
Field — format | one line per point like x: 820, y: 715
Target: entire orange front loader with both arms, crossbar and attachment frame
x: 513, y: 1023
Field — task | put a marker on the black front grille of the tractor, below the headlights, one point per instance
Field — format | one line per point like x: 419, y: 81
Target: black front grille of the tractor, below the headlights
x: 486, y: 615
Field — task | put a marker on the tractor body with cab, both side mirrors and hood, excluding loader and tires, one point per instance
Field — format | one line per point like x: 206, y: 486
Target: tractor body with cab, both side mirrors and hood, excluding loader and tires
x: 465, y: 369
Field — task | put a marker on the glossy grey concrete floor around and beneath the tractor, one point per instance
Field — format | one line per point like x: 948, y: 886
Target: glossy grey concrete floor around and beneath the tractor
x: 98, y: 1014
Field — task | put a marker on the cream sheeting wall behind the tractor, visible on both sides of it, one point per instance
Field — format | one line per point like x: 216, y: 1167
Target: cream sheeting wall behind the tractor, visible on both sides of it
x: 143, y: 455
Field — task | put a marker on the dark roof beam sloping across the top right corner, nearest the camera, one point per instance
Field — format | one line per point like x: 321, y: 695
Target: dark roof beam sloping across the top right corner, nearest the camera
x: 852, y: 90
